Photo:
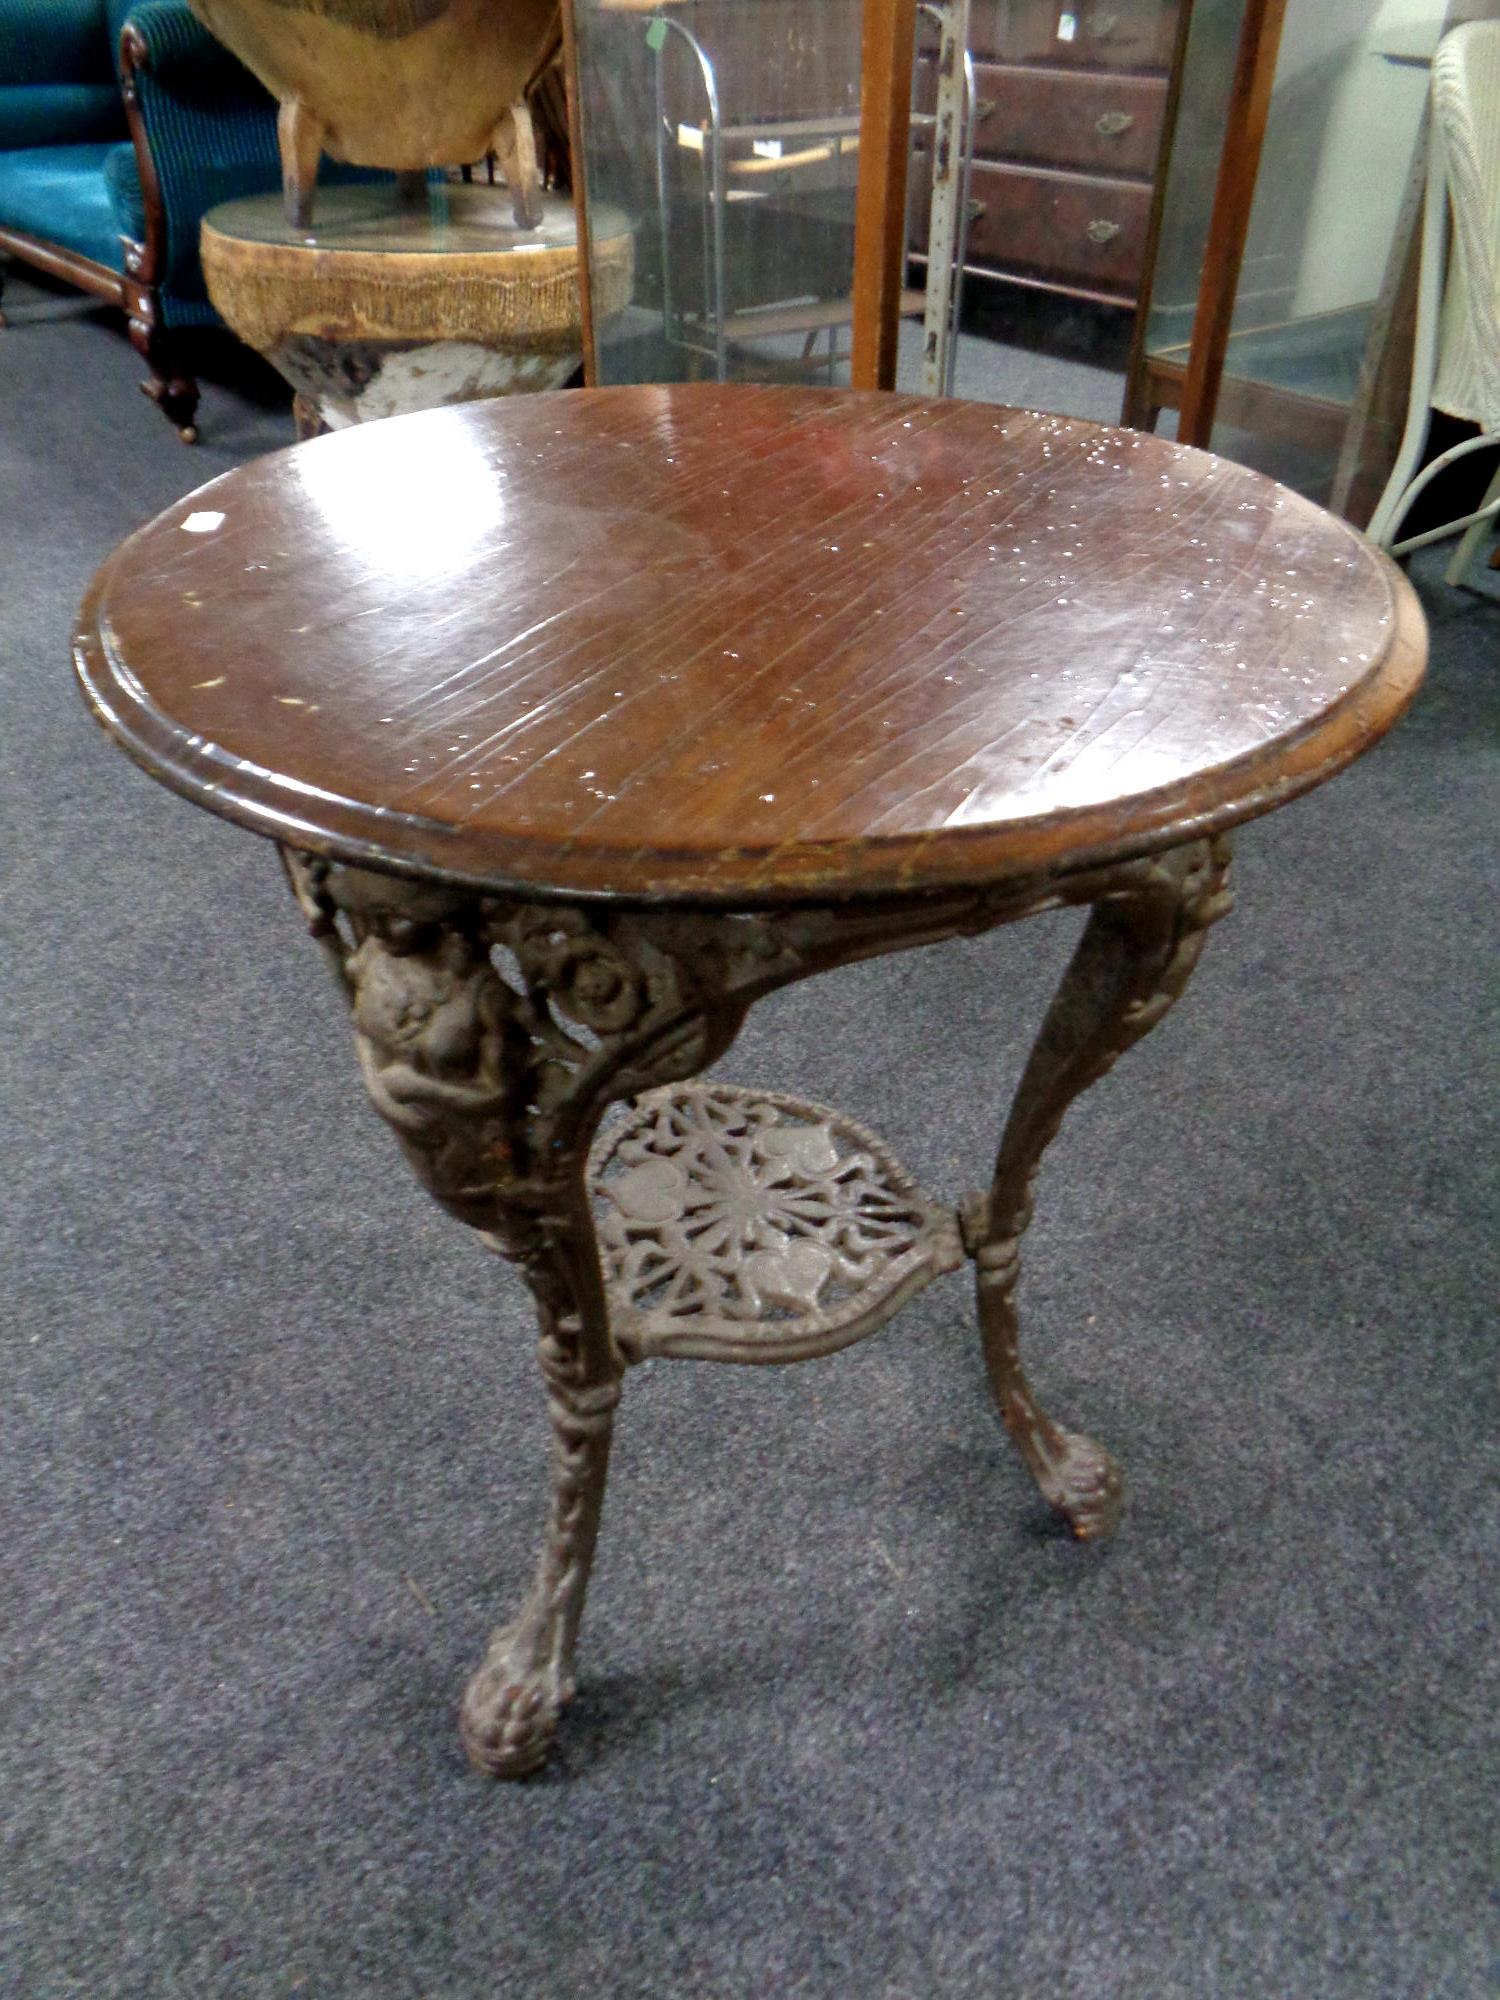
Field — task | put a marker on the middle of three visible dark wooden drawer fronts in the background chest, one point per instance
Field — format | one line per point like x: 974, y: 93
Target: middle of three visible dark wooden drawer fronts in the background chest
x: 1109, y: 125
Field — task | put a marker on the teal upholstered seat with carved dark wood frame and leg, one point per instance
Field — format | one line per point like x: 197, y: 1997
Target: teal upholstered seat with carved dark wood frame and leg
x: 119, y: 127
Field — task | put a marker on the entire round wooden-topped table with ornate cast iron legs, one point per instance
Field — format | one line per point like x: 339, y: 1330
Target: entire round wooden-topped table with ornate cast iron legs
x: 587, y: 721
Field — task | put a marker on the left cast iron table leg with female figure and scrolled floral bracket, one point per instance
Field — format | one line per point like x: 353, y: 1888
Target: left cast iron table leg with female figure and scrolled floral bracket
x: 495, y: 1097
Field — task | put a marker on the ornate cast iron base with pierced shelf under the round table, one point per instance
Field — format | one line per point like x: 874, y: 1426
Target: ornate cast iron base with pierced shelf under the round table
x: 719, y: 1223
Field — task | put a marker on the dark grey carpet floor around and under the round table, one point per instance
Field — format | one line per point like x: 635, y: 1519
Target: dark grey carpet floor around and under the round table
x: 853, y: 1719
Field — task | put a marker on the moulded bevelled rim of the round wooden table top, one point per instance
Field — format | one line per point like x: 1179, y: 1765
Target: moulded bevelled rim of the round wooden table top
x: 817, y: 871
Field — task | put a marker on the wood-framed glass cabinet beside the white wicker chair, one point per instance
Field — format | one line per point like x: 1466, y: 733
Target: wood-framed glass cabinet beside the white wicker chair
x: 1323, y: 287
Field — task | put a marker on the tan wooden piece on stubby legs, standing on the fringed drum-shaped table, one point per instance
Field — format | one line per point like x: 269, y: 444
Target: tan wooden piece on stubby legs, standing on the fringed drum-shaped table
x: 397, y: 83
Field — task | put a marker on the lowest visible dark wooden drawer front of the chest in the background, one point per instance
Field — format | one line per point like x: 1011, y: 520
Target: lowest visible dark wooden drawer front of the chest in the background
x: 1063, y: 227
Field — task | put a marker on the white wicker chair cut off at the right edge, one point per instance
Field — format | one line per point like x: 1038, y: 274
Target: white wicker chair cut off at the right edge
x: 1457, y: 361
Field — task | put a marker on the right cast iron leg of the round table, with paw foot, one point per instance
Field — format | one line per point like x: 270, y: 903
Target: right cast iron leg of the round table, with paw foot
x: 1135, y: 959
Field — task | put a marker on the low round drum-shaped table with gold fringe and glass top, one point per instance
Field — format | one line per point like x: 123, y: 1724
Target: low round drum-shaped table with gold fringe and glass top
x: 395, y: 305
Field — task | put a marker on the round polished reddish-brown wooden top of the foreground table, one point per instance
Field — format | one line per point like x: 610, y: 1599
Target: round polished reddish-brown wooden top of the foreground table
x: 743, y: 645
